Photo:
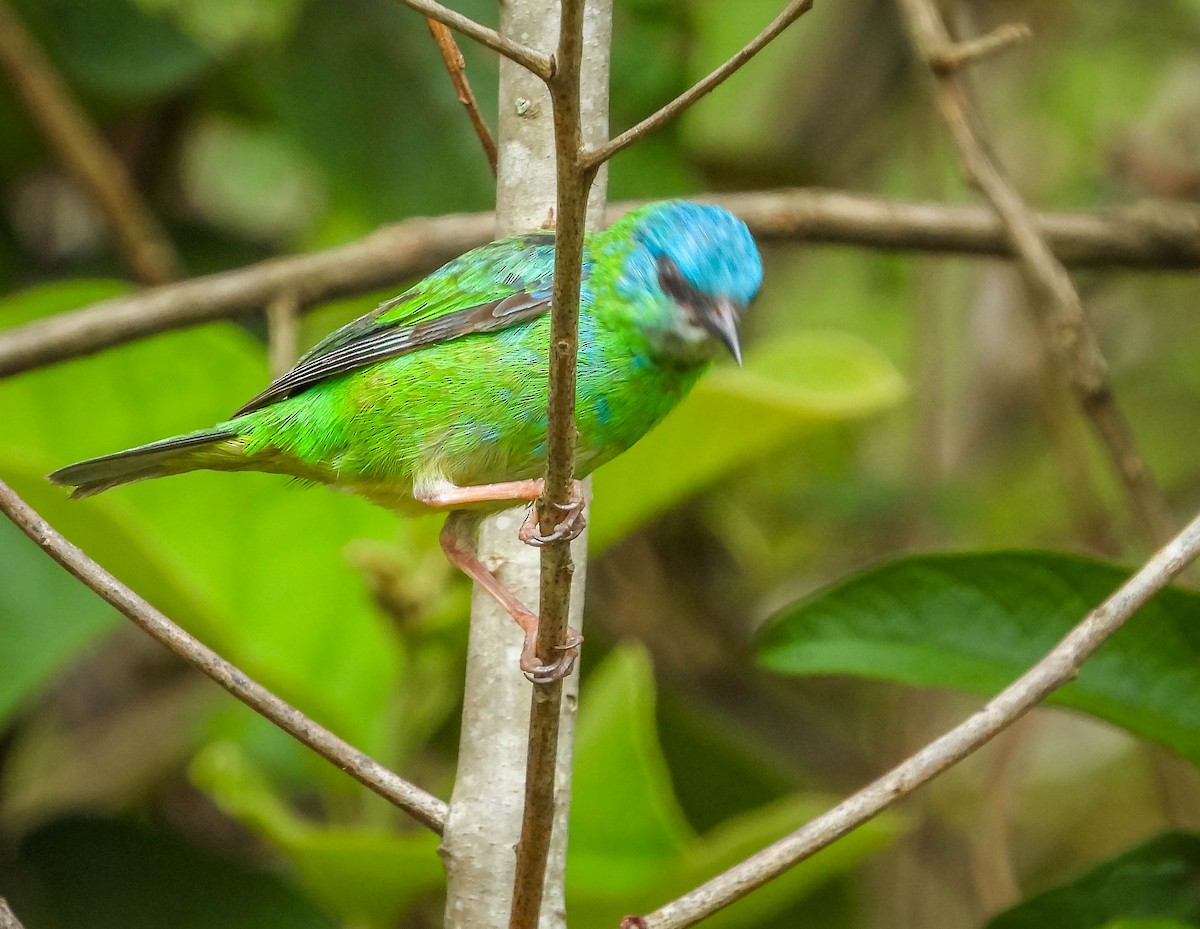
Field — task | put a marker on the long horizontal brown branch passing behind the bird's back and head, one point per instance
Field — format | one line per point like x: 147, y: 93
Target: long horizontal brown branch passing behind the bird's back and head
x: 1160, y: 237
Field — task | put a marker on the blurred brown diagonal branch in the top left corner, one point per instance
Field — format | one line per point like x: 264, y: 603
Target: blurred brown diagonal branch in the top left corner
x: 85, y: 153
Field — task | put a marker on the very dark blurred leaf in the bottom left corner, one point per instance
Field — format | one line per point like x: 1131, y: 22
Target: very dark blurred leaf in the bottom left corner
x: 104, y: 874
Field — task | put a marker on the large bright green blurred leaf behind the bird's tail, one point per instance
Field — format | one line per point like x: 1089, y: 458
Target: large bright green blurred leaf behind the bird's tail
x: 251, y: 565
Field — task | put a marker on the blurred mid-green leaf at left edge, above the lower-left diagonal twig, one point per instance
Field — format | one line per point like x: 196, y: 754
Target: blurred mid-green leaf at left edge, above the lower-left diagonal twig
x: 46, y: 619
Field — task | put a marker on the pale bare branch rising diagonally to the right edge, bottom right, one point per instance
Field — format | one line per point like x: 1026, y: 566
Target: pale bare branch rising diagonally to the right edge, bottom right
x: 1058, y: 668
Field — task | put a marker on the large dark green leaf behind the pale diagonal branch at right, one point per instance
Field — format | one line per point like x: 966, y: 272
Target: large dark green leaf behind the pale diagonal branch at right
x: 979, y: 621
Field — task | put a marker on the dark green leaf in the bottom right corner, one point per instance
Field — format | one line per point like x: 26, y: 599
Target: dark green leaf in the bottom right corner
x: 1154, y: 886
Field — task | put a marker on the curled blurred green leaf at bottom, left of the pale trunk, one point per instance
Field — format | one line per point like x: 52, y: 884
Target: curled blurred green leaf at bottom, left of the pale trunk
x: 363, y: 877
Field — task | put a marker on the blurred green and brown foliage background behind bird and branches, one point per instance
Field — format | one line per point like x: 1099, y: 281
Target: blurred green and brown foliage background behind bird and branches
x: 892, y: 405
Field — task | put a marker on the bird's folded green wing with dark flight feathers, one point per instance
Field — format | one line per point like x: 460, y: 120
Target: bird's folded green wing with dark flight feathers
x: 493, y: 287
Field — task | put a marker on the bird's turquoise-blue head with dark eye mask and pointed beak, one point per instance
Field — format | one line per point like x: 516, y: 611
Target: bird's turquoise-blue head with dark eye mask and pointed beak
x: 692, y: 271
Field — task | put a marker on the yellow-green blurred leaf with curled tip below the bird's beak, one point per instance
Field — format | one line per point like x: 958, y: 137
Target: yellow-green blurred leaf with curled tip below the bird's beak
x: 787, y: 389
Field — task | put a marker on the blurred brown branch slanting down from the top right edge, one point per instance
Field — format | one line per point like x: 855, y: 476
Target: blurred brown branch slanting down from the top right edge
x: 1054, y: 293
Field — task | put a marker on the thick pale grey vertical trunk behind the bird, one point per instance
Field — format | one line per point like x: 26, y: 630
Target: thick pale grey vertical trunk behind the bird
x: 485, y: 817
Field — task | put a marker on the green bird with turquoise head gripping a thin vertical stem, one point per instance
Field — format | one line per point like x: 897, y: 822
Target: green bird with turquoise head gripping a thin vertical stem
x: 437, y: 399
